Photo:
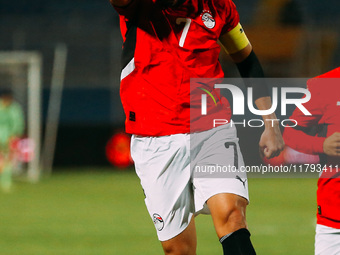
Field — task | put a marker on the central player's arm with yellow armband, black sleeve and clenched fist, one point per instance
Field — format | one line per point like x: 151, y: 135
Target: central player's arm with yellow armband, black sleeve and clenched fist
x: 237, y: 45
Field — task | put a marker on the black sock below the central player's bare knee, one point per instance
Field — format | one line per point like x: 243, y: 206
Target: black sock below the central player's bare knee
x: 237, y: 243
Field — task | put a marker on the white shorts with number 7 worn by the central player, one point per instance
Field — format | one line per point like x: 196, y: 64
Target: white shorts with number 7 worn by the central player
x: 173, y: 191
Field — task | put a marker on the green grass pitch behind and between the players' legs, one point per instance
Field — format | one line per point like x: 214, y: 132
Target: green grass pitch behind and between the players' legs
x: 102, y: 212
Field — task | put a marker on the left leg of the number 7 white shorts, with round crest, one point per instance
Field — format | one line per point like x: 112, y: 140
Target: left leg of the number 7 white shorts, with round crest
x: 163, y: 166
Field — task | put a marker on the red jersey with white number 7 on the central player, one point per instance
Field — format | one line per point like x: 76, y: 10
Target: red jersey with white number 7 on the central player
x: 163, y: 49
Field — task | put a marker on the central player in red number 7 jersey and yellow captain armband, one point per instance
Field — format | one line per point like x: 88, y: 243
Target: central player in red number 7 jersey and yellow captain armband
x: 167, y: 42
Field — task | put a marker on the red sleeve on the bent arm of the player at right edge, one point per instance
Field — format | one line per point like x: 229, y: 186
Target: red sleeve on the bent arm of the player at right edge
x: 299, y: 140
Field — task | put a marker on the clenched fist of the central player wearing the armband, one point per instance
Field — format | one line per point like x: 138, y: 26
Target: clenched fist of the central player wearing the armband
x: 271, y: 142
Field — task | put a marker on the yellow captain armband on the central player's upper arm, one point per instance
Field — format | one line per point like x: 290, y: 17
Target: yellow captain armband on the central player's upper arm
x: 234, y: 40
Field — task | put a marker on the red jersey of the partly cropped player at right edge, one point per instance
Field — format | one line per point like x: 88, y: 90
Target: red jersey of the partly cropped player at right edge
x: 325, y: 109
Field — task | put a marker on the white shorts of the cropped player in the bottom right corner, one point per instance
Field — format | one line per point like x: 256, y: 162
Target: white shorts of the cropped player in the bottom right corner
x: 327, y: 240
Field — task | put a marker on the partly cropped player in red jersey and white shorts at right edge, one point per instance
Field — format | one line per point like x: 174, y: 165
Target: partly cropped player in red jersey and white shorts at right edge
x: 320, y: 134
